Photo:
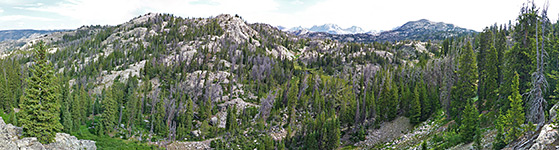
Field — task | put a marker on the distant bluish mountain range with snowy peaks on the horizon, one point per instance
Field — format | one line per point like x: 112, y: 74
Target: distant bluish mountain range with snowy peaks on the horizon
x: 421, y: 30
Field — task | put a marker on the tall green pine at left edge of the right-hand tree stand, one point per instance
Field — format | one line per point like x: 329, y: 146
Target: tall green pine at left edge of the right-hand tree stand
x: 465, y: 88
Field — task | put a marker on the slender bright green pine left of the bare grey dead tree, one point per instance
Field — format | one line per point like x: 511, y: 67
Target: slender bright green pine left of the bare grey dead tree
x: 515, y: 115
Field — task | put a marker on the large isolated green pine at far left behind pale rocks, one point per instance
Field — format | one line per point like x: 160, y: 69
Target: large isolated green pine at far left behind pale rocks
x: 39, y: 106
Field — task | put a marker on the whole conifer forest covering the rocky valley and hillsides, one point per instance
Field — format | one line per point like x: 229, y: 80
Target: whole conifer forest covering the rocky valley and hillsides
x: 161, y: 81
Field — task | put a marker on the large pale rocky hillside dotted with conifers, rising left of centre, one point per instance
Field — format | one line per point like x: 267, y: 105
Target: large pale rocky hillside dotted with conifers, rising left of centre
x: 221, y: 61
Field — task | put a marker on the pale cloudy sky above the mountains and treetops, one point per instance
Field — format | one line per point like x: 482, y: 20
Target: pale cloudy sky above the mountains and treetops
x: 368, y: 14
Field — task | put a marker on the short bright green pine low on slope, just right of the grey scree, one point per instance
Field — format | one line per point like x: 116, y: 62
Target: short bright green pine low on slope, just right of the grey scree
x: 469, y: 122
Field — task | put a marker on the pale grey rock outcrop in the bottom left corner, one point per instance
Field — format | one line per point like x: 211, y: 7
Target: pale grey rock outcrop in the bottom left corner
x: 9, y: 140
